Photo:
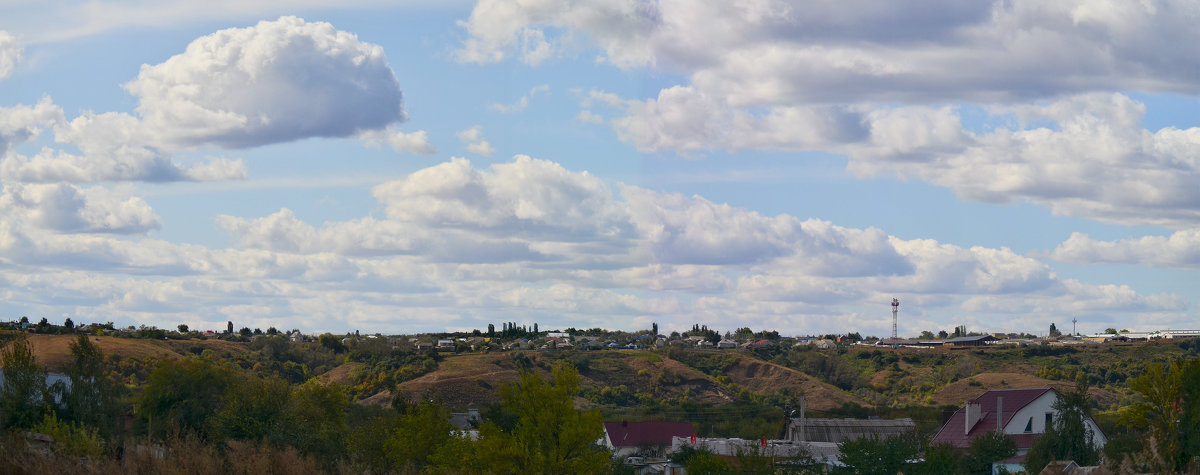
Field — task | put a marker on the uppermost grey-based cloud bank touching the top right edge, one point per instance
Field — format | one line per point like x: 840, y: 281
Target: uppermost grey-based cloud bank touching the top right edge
x: 773, y: 52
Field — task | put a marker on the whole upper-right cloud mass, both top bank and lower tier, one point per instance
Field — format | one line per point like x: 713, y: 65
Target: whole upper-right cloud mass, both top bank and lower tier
x: 883, y: 85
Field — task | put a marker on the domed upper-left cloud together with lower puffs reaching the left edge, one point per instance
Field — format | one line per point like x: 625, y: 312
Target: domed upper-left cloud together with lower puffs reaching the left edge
x: 275, y: 82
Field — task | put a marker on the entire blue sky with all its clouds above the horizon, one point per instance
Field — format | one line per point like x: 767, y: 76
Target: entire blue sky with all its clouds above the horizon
x: 442, y: 166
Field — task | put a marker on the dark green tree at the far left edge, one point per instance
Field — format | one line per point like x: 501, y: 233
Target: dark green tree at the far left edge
x: 25, y: 396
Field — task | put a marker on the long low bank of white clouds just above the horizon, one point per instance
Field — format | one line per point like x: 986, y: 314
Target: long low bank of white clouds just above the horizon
x: 527, y: 240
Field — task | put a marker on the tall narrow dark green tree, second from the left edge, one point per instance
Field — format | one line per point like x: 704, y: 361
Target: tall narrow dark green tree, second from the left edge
x: 94, y: 396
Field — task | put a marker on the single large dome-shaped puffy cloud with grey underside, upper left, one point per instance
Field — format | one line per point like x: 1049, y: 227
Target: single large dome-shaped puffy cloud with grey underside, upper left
x: 274, y: 82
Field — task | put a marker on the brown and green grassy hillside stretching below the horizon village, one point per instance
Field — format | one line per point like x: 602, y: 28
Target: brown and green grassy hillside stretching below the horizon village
x: 623, y: 380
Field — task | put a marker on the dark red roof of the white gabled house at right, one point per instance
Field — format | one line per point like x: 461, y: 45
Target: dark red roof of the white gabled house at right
x: 1015, y: 400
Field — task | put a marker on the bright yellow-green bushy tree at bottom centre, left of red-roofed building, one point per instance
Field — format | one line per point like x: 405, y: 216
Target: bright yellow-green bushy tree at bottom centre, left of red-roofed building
x: 551, y: 437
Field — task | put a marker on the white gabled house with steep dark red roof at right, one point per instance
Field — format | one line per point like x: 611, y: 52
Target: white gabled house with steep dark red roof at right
x: 1022, y: 414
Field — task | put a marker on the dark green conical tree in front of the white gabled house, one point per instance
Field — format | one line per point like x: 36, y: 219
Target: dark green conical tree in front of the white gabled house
x: 1067, y: 438
